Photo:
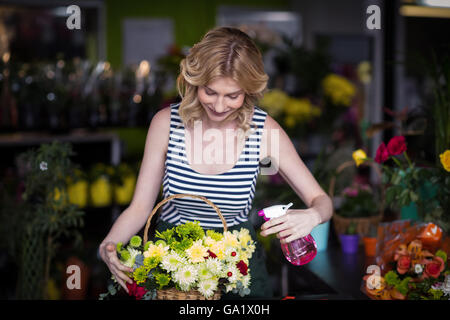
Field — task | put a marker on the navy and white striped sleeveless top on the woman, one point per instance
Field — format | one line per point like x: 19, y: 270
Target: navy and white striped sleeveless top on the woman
x: 231, y: 191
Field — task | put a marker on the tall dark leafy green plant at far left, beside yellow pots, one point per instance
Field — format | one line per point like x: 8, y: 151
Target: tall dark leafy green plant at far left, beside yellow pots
x: 50, y: 217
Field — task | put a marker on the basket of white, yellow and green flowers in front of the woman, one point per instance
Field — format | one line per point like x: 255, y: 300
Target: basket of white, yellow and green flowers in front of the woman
x: 187, y: 262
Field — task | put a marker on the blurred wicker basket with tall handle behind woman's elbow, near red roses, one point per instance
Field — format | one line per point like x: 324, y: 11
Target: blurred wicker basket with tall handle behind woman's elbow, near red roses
x: 363, y: 224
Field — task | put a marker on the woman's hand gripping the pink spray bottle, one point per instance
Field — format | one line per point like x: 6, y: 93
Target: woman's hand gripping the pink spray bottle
x: 293, y: 225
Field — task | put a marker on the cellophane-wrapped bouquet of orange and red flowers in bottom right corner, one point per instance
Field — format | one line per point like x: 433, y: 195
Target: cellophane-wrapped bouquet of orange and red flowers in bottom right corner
x: 414, y: 263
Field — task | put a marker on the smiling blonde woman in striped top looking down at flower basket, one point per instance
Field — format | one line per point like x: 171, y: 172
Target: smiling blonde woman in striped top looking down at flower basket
x: 220, y: 82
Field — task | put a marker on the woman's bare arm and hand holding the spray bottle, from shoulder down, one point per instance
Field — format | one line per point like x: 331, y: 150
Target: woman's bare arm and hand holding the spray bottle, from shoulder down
x: 297, y: 223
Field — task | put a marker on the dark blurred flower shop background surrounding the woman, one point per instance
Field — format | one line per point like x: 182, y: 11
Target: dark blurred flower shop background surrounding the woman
x: 362, y: 89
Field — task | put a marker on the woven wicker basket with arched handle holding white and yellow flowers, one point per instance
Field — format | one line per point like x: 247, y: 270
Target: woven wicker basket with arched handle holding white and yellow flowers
x: 172, y: 293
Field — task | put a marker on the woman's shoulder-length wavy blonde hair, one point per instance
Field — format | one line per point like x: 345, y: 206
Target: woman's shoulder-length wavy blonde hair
x: 222, y: 52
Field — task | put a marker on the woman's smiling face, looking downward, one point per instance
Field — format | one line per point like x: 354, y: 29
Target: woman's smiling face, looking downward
x: 220, y: 98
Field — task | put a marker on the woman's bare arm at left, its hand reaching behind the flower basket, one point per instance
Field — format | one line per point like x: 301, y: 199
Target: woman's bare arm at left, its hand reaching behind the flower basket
x: 147, y: 189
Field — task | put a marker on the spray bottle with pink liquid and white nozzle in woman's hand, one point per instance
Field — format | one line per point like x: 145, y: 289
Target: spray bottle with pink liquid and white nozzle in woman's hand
x: 298, y: 252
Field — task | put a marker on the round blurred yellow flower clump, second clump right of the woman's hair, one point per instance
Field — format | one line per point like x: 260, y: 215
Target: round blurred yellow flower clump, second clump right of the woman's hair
x: 338, y: 89
